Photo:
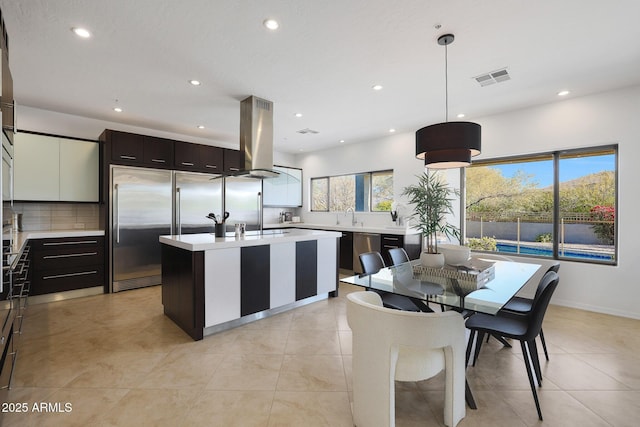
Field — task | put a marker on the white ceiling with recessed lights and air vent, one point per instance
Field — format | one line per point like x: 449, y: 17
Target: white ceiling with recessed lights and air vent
x: 322, y: 62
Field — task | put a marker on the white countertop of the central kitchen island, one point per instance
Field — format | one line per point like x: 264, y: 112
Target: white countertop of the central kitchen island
x: 208, y: 241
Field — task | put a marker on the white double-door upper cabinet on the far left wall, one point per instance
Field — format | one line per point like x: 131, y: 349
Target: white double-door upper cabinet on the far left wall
x: 55, y: 169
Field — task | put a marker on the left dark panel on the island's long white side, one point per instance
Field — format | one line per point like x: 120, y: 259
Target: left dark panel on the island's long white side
x: 254, y: 279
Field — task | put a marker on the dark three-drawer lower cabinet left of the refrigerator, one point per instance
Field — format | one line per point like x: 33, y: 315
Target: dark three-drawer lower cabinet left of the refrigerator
x: 64, y: 264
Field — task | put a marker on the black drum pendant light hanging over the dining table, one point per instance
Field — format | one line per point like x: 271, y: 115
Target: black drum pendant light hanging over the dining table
x: 449, y: 144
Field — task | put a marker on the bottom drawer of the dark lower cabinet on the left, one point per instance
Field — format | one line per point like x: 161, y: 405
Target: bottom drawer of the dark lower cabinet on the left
x: 66, y: 279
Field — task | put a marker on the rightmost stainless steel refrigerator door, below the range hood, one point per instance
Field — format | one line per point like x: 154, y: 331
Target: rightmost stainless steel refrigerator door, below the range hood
x: 242, y: 199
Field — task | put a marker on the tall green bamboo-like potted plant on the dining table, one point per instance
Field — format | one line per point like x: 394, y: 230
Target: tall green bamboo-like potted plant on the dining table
x: 433, y: 200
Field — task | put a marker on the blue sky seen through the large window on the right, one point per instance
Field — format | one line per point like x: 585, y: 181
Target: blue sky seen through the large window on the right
x: 570, y: 168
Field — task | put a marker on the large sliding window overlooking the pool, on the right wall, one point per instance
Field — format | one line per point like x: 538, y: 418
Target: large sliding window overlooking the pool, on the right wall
x: 560, y: 205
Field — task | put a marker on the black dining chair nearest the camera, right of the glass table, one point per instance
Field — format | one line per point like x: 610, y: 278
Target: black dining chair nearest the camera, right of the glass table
x: 522, y: 328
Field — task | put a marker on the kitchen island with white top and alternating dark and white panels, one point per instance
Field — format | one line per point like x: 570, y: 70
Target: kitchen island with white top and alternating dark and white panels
x: 210, y: 284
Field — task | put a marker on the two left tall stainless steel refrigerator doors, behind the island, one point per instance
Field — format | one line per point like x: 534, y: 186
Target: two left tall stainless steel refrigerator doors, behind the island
x: 148, y: 203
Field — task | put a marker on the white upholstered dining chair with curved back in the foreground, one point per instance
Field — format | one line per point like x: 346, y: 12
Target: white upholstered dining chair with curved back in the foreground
x: 392, y: 345
